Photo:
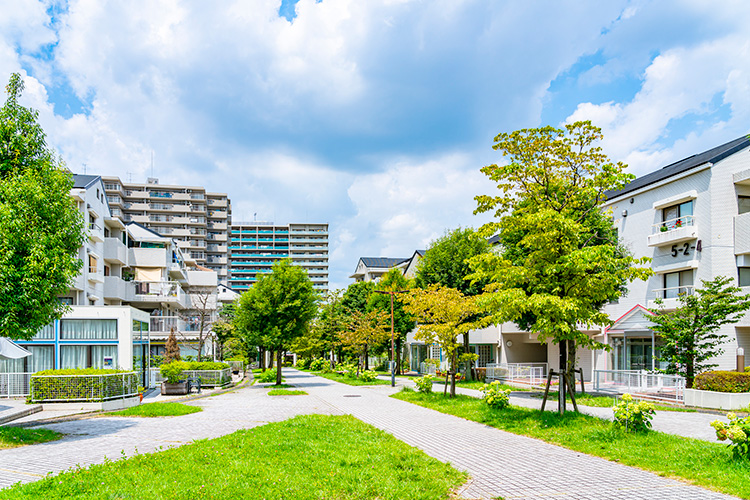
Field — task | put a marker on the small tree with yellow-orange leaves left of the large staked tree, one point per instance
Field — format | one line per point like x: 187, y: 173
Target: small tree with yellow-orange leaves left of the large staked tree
x: 442, y: 316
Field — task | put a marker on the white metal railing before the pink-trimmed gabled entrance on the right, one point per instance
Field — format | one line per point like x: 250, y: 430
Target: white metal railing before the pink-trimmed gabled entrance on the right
x: 641, y: 384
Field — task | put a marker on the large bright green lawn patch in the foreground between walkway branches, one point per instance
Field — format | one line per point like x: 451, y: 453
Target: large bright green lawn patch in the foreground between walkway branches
x: 308, y: 457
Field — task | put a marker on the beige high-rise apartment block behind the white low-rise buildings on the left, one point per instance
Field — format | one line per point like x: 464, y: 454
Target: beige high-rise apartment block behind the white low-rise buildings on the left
x: 198, y: 221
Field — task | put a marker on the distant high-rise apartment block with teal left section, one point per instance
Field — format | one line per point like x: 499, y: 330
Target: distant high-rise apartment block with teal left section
x: 255, y: 246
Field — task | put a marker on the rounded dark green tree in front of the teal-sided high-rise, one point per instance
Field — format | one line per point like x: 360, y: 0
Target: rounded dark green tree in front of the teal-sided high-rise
x: 278, y: 308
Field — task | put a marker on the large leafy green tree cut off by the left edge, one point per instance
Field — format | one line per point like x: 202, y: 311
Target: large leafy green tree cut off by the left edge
x: 41, y: 230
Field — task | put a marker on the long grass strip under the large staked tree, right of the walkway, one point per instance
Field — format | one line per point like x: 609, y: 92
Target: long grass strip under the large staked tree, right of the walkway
x: 700, y: 462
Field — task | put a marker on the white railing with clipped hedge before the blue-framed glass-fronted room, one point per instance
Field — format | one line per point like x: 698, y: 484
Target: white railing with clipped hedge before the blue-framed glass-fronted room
x: 63, y: 388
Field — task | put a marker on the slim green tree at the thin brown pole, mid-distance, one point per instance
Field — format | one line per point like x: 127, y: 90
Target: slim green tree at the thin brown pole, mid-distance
x: 403, y: 322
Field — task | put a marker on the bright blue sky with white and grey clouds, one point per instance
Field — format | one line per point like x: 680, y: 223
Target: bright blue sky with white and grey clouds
x: 375, y: 116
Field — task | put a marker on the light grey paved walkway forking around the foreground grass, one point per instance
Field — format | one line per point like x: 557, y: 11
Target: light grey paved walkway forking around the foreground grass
x: 500, y: 463
